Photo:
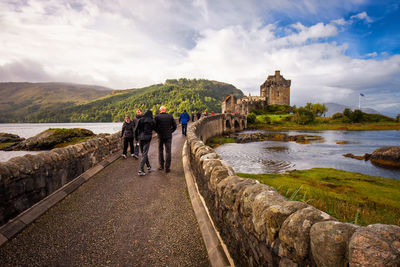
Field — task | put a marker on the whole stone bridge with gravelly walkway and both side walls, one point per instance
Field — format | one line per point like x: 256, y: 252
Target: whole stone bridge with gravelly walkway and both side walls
x: 85, y: 206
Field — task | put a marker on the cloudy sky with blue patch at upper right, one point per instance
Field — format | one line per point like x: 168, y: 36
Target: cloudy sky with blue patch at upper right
x: 331, y: 50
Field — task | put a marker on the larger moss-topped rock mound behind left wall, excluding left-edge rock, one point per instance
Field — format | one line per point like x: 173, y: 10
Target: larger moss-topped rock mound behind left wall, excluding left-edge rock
x: 51, y: 138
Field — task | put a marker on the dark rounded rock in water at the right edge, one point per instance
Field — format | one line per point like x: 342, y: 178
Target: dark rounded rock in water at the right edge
x: 386, y: 157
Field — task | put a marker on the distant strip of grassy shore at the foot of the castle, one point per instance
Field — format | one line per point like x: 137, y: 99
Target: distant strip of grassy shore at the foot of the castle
x: 281, y: 122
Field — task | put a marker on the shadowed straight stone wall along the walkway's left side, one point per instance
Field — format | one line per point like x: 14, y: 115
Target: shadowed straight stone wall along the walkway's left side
x: 26, y: 180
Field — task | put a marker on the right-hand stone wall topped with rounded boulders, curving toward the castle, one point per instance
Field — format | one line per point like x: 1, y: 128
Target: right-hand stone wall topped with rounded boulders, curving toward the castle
x: 262, y: 228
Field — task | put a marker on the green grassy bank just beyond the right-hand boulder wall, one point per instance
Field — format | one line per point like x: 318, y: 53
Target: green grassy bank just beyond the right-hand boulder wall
x: 347, y: 196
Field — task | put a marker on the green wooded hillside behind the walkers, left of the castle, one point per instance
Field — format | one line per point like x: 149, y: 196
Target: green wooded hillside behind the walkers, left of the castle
x: 176, y: 95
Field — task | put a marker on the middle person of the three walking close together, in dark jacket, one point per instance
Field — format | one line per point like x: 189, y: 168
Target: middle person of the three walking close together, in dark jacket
x: 145, y: 132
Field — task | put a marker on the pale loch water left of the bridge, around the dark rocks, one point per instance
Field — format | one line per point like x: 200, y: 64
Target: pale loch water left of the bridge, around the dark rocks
x: 27, y: 130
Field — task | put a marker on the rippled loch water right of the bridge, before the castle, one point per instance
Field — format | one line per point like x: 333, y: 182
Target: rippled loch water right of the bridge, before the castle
x: 278, y: 157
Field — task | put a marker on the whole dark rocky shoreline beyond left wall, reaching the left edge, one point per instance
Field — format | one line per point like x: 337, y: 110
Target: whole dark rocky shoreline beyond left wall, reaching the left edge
x: 46, y: 140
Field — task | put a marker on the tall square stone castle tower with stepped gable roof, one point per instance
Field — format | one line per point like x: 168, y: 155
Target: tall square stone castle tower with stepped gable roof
x: 276, y: 89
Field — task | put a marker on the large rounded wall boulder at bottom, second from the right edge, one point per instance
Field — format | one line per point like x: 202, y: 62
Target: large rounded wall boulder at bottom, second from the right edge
x: 330, y: 242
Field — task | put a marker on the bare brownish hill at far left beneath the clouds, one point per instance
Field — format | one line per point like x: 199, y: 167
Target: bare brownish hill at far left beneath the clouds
x: 20, y: 101
